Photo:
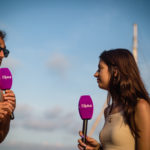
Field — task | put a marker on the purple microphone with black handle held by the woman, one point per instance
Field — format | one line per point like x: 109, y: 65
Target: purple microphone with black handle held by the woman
x: 86, y: 112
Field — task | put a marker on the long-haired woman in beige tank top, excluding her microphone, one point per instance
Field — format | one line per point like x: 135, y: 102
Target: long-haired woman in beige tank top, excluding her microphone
x: 127, y: 116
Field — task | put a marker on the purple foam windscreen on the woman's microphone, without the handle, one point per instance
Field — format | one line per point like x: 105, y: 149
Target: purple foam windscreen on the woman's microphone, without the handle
x: 86, y: 107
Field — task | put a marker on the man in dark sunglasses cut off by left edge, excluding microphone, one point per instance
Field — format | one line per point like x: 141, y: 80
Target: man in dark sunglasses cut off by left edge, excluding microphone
x: 7, y: 99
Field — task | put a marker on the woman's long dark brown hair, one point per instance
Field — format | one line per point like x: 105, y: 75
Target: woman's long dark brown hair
x: 127, y: 86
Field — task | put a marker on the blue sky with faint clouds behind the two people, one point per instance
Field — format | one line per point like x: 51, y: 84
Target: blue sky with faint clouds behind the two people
x: 54, y: 52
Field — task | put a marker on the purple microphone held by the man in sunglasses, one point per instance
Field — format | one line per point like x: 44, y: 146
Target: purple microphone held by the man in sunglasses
x: 6, y: 81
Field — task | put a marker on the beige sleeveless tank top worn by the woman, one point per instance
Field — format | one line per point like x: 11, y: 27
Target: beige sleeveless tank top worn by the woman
x: 116, y: 134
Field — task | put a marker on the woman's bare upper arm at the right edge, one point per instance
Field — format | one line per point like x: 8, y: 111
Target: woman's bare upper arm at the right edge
x: 142, y: 122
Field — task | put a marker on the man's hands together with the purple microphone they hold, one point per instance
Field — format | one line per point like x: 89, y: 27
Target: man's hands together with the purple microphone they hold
x: 8, y: 103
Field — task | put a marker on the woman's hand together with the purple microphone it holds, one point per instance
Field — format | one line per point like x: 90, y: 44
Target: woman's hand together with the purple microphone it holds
x: 86, y: 113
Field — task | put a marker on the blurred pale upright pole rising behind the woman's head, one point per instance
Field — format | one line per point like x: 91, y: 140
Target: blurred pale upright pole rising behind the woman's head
x: 135, y: 54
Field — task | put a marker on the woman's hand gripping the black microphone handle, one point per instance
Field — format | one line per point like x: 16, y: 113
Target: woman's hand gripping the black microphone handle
x: 91, y: 144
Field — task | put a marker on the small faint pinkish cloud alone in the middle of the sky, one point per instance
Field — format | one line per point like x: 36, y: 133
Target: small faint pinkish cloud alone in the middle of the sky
x: 58, y: 63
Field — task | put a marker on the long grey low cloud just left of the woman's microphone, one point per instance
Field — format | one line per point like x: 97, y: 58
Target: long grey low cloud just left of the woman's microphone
x: 66, y: 124
